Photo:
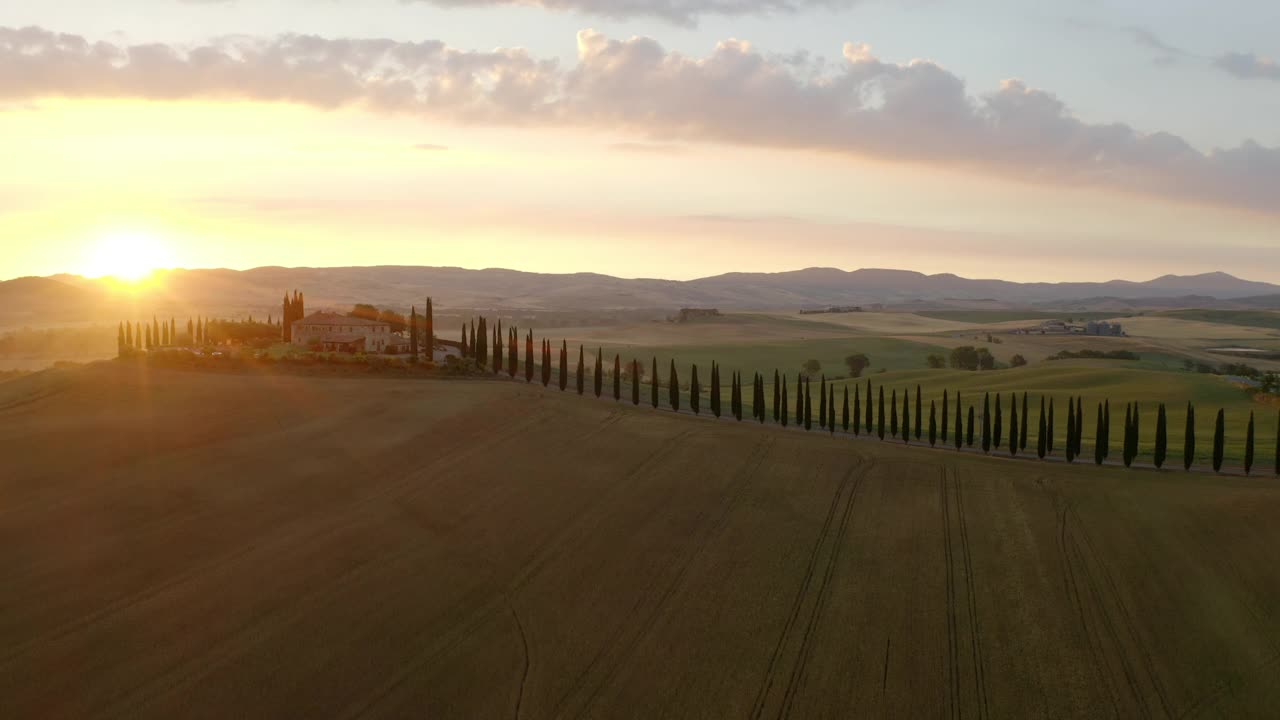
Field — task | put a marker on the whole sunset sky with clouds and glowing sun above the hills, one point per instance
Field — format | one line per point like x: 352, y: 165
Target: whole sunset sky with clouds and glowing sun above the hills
x: 678, y: 139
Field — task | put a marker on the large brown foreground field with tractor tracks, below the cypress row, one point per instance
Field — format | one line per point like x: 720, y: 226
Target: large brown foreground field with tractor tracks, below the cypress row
x: 486, y: 550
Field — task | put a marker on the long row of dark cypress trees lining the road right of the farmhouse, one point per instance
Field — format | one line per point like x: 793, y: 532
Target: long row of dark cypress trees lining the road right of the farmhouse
x: 999, y: 423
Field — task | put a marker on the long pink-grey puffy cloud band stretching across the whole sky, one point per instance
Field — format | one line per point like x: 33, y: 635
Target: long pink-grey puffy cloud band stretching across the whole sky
x: 915, y: 112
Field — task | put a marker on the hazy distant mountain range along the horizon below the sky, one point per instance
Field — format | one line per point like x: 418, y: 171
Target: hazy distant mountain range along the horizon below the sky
x: 222, y: 291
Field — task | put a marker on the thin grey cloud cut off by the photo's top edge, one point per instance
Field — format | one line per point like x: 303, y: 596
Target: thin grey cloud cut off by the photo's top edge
x: 680, y: 12
